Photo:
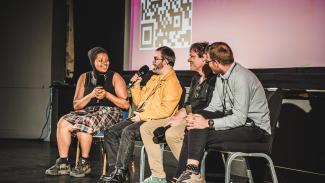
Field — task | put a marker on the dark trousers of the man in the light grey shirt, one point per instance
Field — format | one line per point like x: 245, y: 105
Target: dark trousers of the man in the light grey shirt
x: 195, y: 141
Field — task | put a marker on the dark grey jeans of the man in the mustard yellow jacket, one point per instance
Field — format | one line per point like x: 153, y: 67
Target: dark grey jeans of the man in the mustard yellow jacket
x: 119, y: 143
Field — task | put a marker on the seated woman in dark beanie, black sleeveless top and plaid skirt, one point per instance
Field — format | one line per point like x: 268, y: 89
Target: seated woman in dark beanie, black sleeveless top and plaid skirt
x: 100, y: 95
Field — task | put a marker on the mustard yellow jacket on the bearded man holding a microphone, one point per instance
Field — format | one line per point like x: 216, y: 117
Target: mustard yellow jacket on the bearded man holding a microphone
x: 161, y: 96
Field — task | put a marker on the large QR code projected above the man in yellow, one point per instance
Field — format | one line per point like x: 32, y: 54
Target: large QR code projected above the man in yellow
x: 165, y: 23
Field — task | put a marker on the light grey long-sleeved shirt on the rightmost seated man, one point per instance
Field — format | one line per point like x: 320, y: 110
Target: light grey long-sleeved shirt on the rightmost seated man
x: 240, y: 90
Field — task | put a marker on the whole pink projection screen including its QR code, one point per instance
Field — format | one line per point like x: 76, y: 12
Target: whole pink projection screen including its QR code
x: 262, y: 34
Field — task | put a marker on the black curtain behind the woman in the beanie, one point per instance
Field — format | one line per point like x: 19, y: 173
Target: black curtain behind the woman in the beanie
x: 98, y: 23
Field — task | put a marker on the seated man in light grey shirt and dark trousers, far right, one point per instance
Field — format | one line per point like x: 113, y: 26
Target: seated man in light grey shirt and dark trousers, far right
x: 240, y: 99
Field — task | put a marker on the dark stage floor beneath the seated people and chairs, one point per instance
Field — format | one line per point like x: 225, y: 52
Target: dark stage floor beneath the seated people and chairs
x: 26, y: 161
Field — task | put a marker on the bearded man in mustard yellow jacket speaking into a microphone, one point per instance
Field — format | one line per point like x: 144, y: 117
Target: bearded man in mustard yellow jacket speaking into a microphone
x: 158, y: 99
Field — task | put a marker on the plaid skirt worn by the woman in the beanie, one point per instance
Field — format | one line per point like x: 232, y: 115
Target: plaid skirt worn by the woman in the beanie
x: 93, y: 118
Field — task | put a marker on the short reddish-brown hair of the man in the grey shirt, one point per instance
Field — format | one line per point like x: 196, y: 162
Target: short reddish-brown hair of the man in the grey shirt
x: 222, y: 52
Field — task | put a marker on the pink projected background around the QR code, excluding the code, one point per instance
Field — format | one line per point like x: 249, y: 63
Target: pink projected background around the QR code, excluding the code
x: 262, y: 34
